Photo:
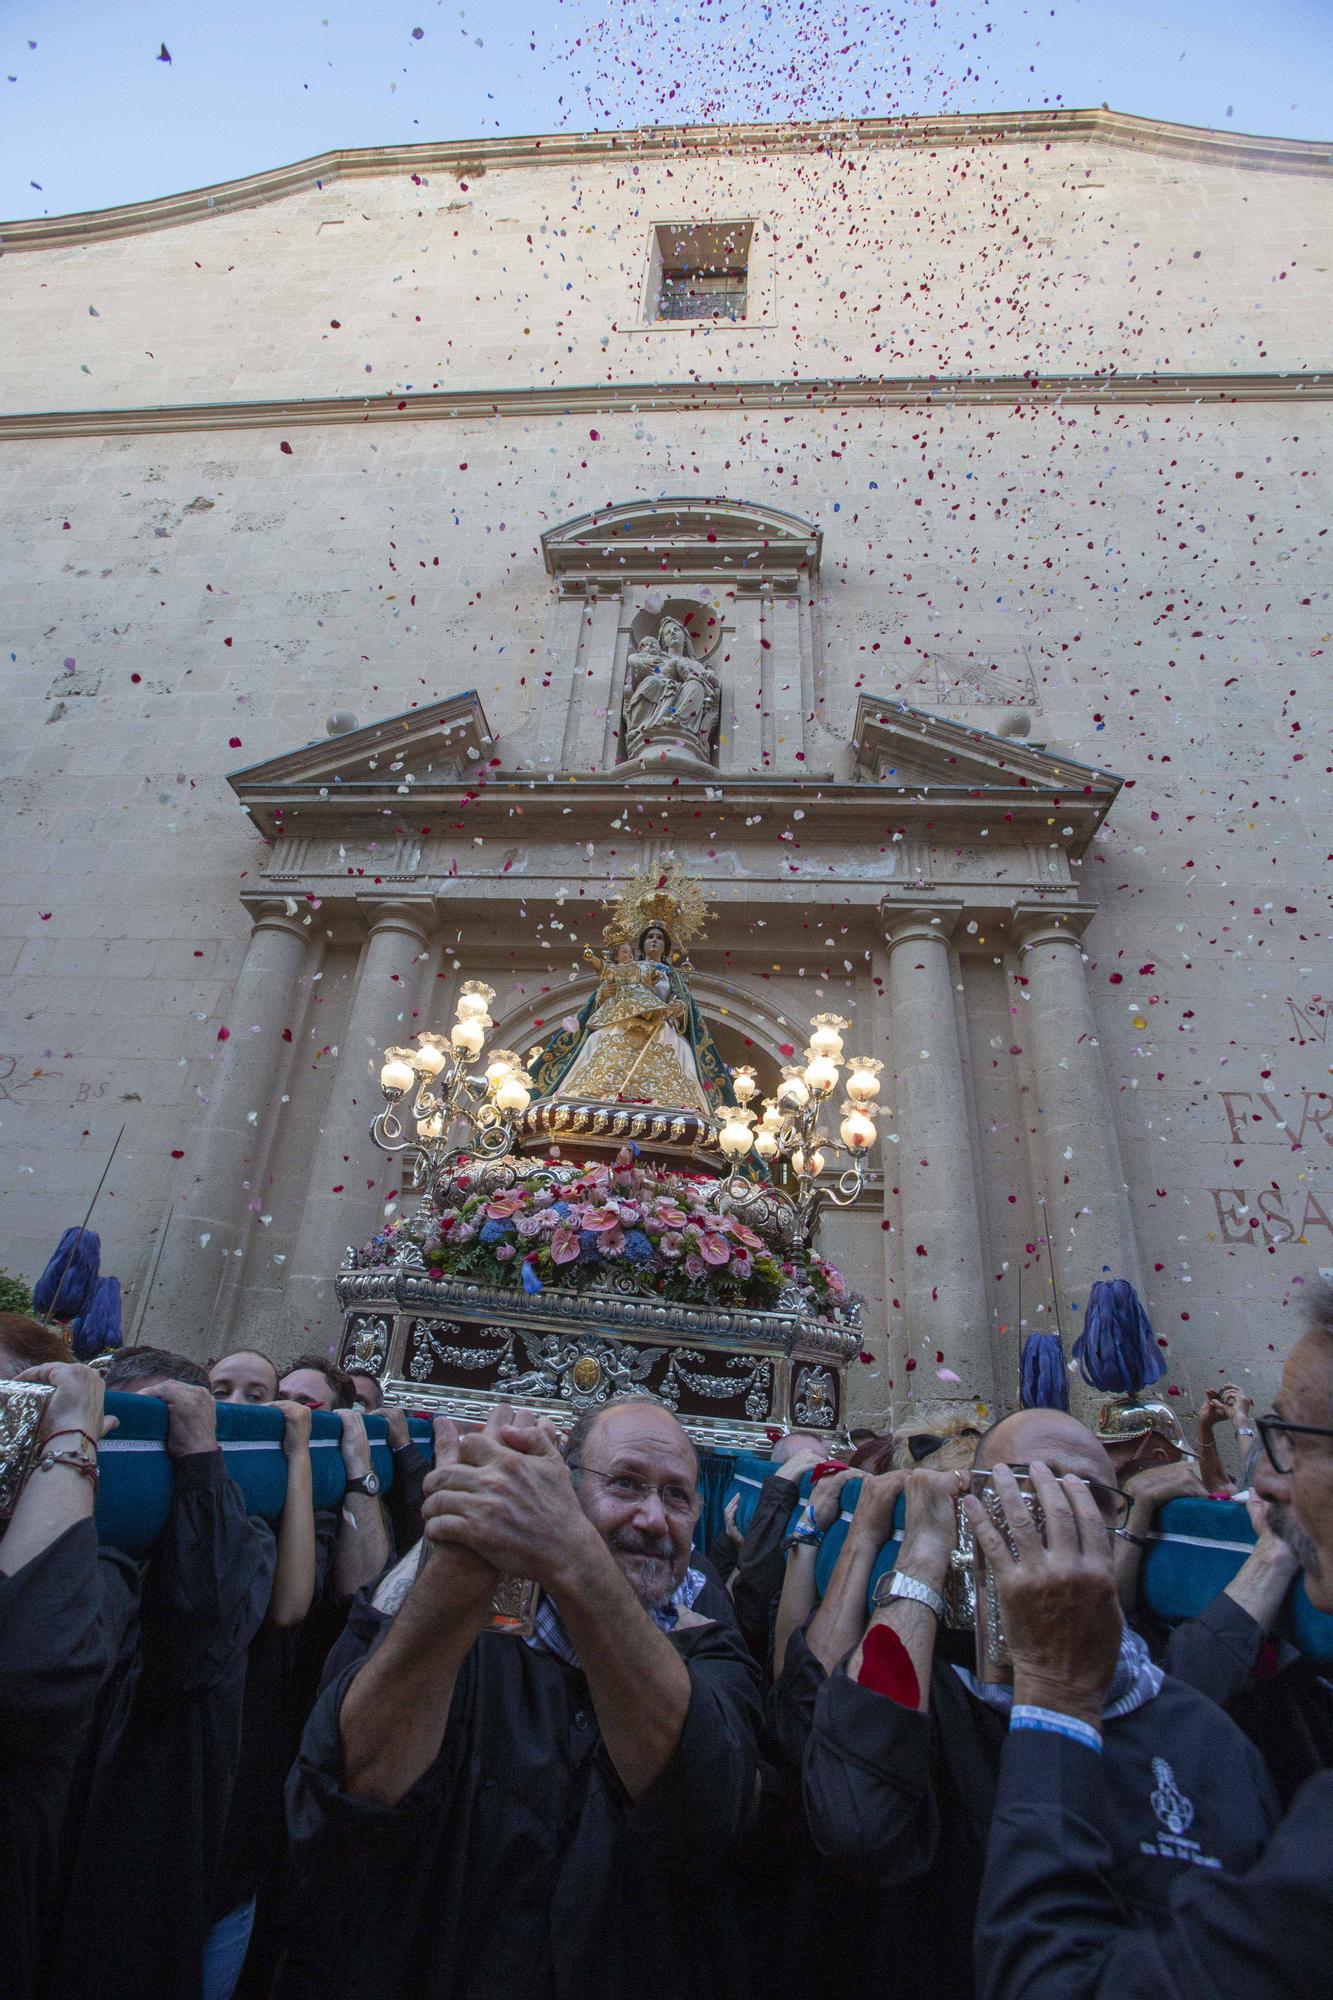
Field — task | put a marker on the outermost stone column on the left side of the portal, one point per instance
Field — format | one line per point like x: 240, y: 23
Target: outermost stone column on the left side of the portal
x: 223, y: 1153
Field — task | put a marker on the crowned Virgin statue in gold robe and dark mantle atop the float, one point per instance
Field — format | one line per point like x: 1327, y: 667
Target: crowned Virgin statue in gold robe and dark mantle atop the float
x: 641, y: 1039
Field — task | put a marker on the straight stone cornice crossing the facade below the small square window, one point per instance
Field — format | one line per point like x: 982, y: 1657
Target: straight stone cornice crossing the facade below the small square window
x: 639, y: 399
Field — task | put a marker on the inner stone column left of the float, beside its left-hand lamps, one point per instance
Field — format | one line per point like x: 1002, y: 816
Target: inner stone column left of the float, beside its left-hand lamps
x: 349, y: 1175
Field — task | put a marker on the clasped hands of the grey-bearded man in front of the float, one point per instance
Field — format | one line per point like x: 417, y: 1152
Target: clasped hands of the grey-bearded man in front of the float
x: 501, y: 1503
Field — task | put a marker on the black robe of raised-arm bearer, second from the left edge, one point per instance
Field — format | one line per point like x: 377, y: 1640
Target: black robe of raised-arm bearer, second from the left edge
x: 145, y: 1845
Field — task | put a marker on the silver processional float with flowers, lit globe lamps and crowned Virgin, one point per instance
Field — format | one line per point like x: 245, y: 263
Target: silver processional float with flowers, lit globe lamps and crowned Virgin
x: 613, y: 1213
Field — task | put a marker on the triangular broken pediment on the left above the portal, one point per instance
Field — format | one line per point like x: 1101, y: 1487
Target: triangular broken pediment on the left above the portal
x: 435, y: 745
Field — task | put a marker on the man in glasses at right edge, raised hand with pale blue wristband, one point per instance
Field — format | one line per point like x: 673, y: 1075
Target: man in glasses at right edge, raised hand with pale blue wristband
x: 1050, y: 1925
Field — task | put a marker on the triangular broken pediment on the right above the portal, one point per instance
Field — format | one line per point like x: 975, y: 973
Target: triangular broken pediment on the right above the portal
x: 910, y: 749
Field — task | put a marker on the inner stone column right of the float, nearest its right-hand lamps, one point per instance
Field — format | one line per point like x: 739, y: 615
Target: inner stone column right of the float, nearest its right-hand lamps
x: 944, y: 1273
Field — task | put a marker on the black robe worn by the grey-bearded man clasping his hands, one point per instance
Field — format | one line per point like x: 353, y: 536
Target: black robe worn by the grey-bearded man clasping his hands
x: 519, y: 1865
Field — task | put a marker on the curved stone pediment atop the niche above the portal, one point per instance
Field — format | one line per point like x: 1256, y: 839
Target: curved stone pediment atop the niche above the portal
x: 686, y: 537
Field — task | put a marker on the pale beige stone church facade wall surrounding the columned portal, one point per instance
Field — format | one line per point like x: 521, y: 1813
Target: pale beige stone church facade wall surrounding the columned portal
x: 1152, y: 581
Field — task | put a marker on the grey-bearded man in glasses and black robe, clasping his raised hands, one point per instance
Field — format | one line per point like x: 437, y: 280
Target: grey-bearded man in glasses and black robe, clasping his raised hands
x: 475, y: 1815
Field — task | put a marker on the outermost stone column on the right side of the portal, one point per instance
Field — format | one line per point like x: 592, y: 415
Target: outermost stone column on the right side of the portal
x: 1088, y: 1201
